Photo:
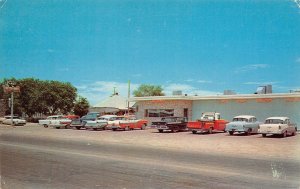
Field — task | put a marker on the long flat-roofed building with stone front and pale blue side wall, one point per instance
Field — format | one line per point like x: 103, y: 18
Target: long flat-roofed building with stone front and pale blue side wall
x: 261, y: 106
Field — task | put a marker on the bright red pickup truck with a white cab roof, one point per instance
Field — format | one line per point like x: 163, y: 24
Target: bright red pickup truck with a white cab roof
x: 209, y: 122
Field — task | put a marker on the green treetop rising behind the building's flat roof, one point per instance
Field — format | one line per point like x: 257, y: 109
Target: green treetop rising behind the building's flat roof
x: 148, y: 90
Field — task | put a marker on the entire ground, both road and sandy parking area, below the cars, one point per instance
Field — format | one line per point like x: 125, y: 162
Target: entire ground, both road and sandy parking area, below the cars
x: 37, y: 157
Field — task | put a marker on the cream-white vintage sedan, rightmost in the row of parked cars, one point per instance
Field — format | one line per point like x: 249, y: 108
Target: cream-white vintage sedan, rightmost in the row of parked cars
x: 277, y: 126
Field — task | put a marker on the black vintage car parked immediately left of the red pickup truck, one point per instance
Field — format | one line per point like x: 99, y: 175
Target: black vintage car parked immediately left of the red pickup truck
x: 172, y: 124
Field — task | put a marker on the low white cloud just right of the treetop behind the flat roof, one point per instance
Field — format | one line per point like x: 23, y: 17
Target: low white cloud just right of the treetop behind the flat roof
x: 186, y: 89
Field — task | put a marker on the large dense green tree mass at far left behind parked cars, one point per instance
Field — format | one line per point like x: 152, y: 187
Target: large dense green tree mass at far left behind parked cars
x: 36, y: 96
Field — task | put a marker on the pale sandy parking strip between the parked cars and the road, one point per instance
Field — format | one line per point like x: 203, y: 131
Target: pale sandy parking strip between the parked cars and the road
x: 254, y: 146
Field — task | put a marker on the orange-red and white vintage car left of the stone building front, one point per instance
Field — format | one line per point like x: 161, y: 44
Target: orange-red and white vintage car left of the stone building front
x: 130, y: 123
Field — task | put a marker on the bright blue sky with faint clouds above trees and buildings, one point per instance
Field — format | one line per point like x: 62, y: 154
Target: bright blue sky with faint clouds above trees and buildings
x: 201, y: 47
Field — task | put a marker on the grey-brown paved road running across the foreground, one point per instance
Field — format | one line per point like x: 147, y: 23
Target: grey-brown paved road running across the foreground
x: 31, y: 162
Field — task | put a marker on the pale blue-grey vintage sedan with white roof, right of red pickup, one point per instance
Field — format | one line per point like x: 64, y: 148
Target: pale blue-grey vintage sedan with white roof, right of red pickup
x: 243, y: 124
